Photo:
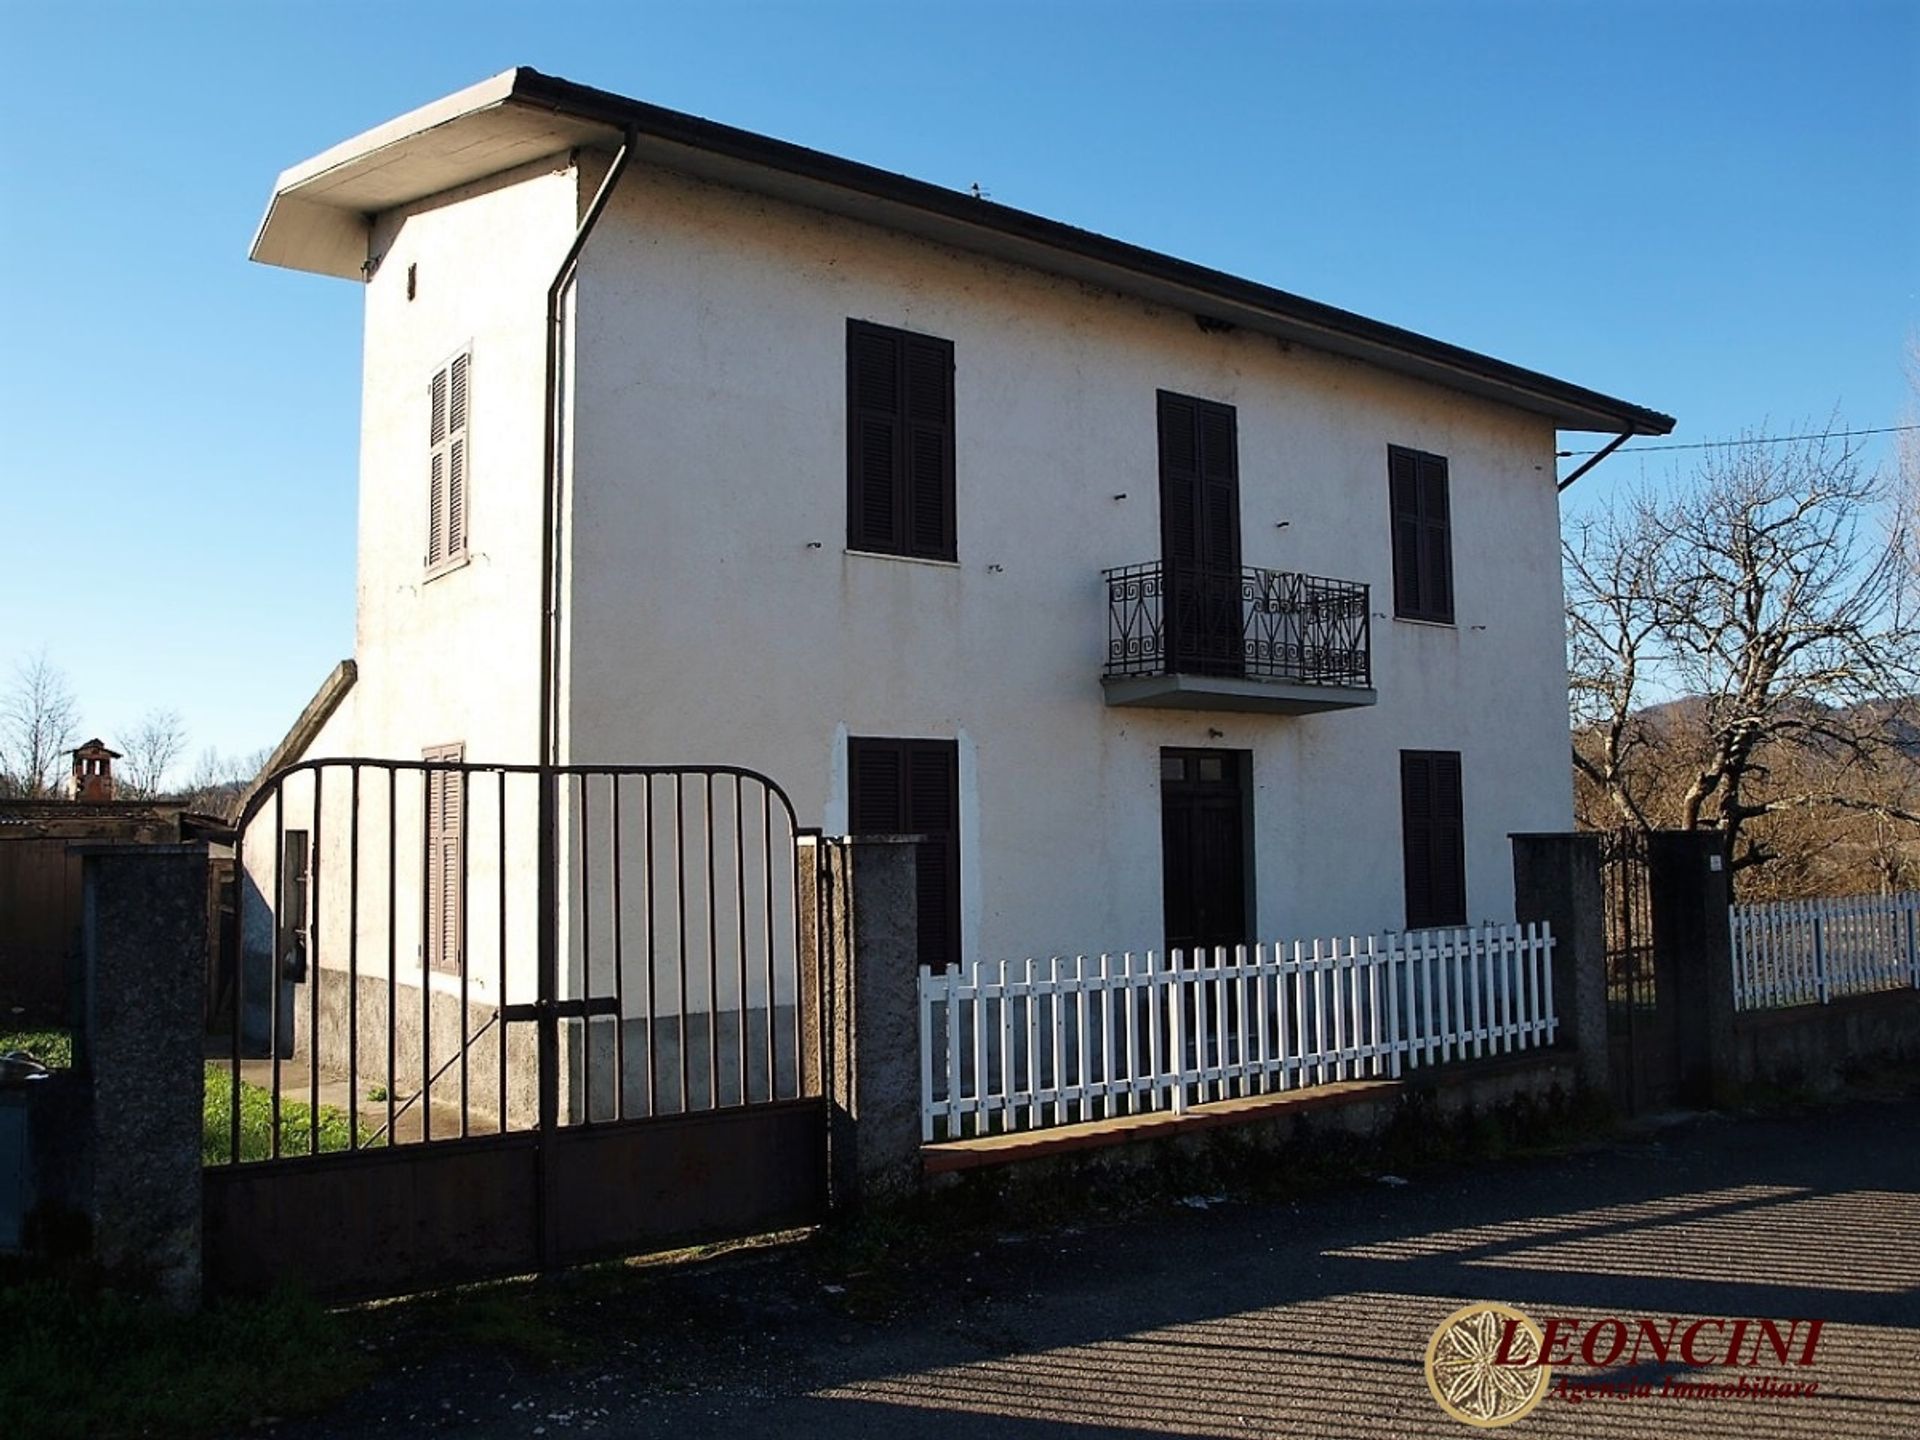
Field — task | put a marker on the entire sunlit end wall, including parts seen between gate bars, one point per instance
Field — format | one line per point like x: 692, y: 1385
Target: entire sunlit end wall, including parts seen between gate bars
x: 454, y: 658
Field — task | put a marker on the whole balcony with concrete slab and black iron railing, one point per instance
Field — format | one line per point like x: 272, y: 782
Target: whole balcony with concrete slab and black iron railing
x: 1191, y: 638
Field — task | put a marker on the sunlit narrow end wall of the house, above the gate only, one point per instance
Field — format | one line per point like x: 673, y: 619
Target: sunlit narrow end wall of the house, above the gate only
x: 456, y: 658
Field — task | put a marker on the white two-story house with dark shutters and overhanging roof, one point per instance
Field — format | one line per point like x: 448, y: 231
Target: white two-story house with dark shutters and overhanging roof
x: 1180, y: 608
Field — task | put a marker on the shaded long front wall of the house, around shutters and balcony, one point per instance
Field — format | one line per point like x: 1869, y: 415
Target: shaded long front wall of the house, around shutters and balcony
x: 704, y: 627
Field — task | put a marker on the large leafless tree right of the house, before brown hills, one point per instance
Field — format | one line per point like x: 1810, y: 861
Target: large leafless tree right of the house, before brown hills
x: 1765, y: 602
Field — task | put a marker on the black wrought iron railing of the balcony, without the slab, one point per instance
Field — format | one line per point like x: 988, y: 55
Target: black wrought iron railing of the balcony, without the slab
x: 1257, y: 625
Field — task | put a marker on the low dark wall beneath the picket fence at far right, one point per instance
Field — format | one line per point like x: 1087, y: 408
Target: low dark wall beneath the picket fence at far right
x: 1815, y: 1045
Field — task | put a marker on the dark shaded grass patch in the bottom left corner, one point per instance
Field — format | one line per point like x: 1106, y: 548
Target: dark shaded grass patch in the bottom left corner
x: 80, y: 1362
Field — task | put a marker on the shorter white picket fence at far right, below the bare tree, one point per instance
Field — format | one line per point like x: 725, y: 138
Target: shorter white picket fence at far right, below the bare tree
x: 1813, y: 951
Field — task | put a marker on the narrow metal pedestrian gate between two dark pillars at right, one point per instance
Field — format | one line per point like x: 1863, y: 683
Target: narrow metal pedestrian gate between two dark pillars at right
x: 1641, y: 1032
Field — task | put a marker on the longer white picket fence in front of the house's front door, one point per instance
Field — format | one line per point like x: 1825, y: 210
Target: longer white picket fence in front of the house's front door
x: 1032, y: 1044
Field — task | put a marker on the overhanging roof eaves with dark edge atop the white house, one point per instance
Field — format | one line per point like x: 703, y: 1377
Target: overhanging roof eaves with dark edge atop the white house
x: 322, y: 214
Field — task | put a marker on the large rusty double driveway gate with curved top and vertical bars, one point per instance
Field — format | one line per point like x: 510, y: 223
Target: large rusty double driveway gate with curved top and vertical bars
x: 494, y: 1019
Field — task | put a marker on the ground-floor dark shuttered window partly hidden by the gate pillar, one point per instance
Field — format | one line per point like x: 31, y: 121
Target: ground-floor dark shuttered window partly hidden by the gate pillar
x: 913, y: 788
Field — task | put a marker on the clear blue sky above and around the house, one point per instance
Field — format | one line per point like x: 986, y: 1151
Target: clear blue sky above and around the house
x: 1706, y: 208
